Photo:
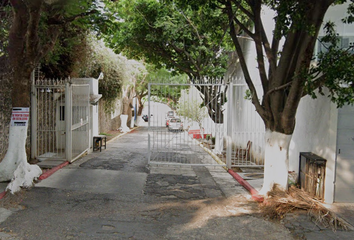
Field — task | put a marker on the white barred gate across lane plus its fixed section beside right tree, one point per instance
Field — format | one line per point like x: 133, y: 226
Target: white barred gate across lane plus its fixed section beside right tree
x: 235, y: 134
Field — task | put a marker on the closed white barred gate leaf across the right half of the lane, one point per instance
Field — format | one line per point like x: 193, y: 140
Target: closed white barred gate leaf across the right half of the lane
x: 180, y: 123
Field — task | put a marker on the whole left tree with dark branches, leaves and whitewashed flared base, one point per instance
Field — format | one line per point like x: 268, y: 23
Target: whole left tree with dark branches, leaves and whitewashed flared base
x: 34, y: 28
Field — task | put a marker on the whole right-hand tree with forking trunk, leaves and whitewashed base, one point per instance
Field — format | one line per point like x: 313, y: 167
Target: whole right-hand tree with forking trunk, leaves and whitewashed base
x: 285, y: 70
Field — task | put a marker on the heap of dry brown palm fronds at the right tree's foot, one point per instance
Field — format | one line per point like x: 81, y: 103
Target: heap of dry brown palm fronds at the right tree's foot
x: 279, y: 203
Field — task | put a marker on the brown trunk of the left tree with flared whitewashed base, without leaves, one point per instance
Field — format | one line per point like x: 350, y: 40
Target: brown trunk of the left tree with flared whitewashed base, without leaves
x: 23, y: 55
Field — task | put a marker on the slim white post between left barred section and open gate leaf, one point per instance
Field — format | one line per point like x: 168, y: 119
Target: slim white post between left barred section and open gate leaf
x: 68, y: 121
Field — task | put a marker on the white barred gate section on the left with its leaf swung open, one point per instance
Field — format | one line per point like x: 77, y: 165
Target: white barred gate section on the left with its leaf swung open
x: 60, y: 119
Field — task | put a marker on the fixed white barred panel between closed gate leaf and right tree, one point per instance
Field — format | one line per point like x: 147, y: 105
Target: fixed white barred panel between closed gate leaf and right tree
x: 245, y: 128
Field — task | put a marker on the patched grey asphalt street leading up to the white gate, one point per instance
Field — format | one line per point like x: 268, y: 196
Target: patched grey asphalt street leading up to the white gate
x: 113, y: 194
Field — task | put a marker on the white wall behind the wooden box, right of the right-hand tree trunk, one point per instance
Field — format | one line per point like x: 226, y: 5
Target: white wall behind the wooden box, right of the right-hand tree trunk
x: 316, y: 132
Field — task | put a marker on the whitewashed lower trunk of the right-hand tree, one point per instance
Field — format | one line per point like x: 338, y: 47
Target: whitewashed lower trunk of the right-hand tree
x: 276, y: 161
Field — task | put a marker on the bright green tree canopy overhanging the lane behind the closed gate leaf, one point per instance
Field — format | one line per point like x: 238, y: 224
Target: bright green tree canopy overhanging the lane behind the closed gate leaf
x: 184, y: 40
